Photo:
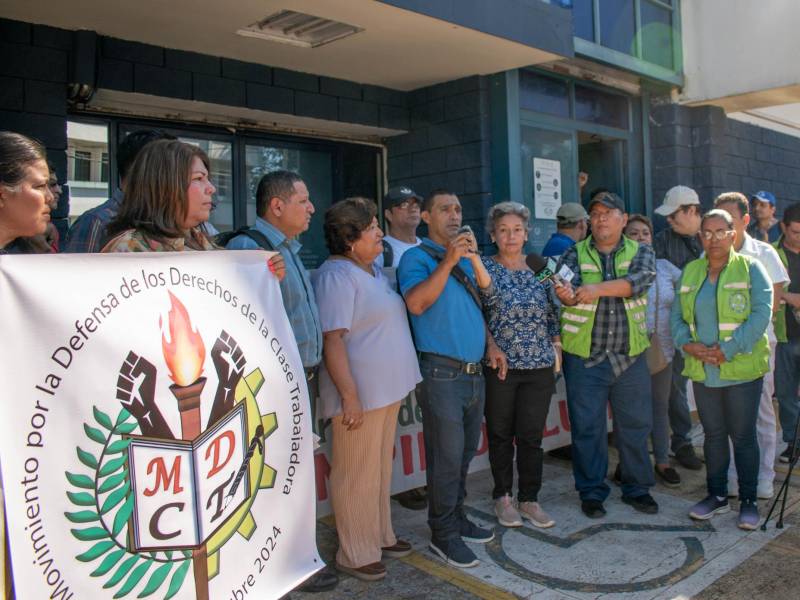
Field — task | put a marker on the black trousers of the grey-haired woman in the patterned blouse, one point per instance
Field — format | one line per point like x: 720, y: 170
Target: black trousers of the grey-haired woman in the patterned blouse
x: 516, y: 411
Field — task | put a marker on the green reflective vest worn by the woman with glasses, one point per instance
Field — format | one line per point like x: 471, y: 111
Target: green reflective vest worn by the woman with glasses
x: 733, y: 309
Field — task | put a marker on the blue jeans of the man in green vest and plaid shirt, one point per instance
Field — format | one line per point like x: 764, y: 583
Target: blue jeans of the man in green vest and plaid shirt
x: 589, y: 391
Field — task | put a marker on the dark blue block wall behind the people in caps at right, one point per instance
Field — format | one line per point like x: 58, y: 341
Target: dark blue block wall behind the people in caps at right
x: 704, y: 149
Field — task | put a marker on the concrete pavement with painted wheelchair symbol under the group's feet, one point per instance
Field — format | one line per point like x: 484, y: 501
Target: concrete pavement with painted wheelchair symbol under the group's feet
x: 626, y: 555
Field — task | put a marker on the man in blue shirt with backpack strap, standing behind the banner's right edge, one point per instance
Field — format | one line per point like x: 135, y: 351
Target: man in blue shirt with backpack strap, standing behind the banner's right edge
x: 284, y: 211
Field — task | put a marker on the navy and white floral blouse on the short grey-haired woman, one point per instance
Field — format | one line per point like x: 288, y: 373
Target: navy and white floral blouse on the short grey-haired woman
x: 523, y: 319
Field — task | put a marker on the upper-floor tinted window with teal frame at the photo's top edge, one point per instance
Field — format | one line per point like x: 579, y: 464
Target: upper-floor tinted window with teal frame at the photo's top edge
x: 646, y: 30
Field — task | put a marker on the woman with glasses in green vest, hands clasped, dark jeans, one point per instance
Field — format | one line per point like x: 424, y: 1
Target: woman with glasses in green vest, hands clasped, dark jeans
x: 719, y: 324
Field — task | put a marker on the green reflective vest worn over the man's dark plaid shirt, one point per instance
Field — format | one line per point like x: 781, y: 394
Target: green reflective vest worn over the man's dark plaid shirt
x: 577, y: 321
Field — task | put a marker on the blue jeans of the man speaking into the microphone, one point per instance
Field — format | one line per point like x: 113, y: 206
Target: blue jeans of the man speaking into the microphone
x: 452, y: 411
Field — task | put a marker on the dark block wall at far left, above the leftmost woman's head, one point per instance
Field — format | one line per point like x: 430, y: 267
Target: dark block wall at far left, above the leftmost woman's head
x: 34, y: 71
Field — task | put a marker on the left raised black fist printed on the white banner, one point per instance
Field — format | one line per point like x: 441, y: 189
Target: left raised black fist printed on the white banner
x: 136, y: 391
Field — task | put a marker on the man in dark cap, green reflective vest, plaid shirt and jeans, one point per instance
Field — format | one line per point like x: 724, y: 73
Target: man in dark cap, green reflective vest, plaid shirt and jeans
x: 604, y: 337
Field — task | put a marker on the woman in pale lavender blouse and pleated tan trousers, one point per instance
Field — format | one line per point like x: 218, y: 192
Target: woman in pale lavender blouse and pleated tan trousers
x: 369, y: 366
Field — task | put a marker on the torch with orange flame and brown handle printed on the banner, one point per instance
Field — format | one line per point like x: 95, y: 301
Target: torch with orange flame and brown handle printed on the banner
x: 184, y: 354
